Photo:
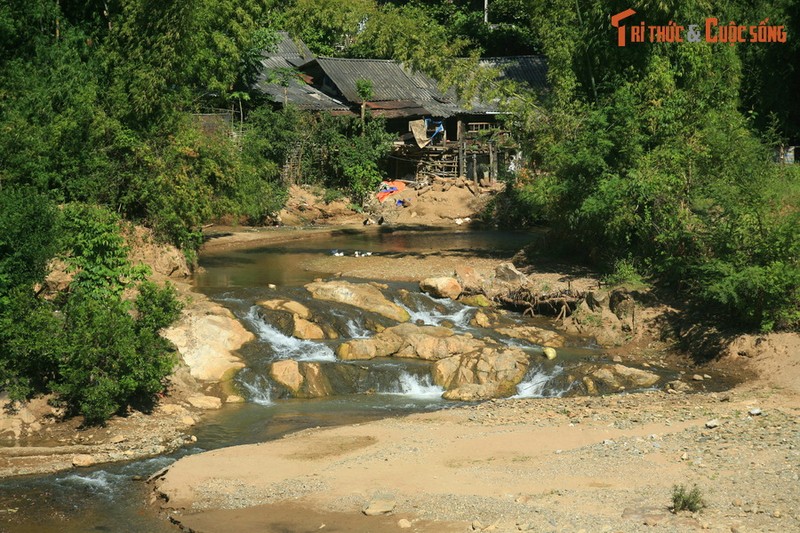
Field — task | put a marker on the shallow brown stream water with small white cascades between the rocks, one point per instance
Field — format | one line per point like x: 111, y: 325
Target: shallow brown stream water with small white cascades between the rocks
x: 114, y: 499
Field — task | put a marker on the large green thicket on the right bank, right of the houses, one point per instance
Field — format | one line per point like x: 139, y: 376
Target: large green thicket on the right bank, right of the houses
x: 646, y: 152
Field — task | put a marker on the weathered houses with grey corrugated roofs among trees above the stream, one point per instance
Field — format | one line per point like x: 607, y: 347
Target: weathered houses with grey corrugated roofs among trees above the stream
x: 437, y: 134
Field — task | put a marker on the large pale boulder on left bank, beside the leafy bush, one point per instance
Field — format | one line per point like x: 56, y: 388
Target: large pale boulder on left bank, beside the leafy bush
x: 206, y: 336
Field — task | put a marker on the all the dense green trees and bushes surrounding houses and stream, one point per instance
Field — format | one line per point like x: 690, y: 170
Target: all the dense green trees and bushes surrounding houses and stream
x: 656, y: 157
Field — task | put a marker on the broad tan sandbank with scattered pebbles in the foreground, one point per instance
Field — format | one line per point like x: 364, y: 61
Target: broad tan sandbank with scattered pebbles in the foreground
x: 591, y: 464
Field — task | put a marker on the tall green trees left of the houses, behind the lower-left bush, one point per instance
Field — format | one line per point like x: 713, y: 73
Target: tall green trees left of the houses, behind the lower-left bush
x: 95, y: 104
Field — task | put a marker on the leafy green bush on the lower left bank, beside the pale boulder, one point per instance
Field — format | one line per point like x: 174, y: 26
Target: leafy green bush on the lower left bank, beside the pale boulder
x: 84, y: 345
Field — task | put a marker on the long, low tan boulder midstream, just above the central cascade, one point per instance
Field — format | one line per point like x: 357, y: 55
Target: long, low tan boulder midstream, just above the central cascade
x: 430, y: 343
